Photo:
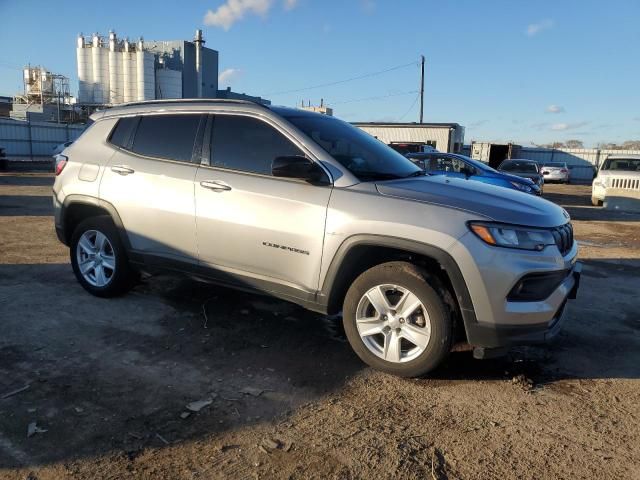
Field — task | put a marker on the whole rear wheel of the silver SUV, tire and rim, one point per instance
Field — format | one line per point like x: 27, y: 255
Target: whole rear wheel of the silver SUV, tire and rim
x: 98, y: 258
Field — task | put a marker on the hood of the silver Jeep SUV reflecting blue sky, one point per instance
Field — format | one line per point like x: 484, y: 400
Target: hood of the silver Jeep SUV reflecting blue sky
x: 496, y: 203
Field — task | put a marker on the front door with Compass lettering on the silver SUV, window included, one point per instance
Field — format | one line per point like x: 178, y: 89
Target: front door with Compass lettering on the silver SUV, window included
x: 252, y: 225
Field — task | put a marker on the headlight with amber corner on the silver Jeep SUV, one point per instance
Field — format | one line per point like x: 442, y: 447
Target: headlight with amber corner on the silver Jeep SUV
x: 511, y: 236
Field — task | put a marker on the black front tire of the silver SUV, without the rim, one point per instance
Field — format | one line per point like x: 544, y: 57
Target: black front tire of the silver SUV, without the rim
x: 426, y: 289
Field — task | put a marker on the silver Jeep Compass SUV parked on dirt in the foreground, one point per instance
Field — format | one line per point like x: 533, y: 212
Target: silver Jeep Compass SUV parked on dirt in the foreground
x: 310, y: 209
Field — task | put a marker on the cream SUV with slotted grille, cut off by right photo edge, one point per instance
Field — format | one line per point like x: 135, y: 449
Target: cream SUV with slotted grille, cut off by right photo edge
x: 619, y: 172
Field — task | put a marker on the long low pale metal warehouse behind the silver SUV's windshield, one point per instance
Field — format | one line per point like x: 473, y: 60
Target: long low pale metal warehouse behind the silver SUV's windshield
x: 413, y: 137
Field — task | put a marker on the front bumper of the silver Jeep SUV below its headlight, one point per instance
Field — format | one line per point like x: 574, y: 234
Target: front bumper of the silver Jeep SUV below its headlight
x: 491, y: 273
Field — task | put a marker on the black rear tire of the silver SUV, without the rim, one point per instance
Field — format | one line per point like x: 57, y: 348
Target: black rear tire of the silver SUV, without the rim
x: 123, y: 277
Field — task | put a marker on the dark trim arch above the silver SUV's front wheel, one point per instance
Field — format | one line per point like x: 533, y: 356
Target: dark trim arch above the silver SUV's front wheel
x: 361, y: 252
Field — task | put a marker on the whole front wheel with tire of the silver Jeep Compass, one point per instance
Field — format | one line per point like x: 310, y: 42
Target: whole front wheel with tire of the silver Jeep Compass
x: 396, y: 321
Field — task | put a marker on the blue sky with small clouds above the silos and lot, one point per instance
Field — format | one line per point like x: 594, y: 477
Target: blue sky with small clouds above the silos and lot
x: 525, y: 71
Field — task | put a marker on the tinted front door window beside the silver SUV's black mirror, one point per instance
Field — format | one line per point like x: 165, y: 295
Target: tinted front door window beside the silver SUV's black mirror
x: 247, y: 144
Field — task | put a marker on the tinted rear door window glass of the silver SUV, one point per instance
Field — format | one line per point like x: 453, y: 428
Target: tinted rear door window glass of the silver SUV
x: 167, y: 136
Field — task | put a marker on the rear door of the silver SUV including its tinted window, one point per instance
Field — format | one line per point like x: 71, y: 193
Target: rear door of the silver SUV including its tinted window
x: 150, y: 182
